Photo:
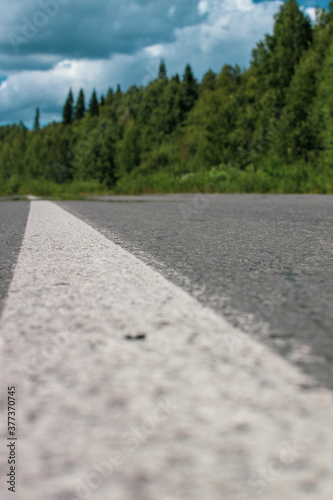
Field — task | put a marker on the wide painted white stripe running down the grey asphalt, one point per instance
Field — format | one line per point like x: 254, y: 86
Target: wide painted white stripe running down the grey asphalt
x: 212, y: 414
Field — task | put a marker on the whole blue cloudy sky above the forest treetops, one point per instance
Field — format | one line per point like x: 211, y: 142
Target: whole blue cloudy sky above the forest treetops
x: 47, y: 46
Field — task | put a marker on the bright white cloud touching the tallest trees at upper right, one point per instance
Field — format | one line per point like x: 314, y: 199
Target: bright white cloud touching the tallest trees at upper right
x: 227, y: 35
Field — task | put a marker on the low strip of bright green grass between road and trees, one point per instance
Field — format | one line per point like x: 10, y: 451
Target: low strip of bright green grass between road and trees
x: 297, y: 178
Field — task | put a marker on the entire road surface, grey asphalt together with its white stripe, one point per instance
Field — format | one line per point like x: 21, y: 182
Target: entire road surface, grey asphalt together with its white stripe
x: 130, y: 387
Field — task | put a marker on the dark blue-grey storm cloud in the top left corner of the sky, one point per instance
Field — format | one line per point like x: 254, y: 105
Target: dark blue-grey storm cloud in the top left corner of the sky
x: 74, y: 29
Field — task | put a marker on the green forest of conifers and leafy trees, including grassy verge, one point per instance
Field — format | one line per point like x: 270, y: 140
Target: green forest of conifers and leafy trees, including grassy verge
x: 268, y: 128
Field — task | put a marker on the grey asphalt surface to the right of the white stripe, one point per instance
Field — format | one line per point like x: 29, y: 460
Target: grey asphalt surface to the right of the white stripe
x: 263, y: 261
